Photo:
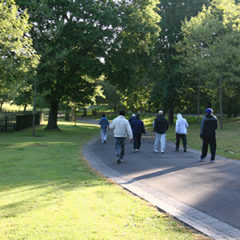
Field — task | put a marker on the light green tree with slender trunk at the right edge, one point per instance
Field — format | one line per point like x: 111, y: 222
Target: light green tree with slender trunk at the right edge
x: 212, y: 39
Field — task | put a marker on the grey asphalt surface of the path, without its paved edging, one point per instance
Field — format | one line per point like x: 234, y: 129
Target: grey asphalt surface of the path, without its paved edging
x: 213, y: 189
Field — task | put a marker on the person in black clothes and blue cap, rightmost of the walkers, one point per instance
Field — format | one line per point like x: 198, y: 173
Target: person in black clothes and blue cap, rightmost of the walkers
x: 208, y: 135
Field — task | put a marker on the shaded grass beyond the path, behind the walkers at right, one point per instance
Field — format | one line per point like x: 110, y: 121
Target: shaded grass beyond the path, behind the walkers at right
x: 228, y: 140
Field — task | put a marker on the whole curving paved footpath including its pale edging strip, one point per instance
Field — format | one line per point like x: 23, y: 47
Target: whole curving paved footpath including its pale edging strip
x: 206, y: 196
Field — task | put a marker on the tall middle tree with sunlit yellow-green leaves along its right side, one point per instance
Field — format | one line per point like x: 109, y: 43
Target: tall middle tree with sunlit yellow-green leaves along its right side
x: 130, y: 60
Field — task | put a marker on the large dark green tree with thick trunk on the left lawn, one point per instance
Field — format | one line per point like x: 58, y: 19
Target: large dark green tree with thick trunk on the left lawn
x: 72, y: 38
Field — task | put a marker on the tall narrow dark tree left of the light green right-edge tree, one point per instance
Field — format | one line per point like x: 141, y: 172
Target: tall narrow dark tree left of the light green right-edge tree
x: 169, y: 77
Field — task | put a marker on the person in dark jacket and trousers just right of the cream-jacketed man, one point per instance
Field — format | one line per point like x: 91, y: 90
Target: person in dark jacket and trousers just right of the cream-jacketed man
x: 137, y: 128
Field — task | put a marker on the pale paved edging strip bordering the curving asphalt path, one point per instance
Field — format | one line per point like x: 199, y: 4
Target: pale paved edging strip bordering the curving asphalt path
x: 200, y: 221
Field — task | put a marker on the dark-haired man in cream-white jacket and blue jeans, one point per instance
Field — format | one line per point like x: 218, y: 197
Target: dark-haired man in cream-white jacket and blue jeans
x: 121, y: 128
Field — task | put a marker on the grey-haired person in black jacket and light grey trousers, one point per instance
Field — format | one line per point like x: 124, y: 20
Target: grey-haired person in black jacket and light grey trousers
x: 160, y: 128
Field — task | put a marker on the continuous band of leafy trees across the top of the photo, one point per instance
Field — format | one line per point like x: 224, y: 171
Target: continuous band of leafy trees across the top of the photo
x: 141, y: 55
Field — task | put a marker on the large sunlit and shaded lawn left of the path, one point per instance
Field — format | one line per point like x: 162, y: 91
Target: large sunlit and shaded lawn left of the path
x: 48, y: 192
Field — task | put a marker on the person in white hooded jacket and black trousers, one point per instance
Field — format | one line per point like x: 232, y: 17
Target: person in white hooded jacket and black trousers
x: 181, y: 132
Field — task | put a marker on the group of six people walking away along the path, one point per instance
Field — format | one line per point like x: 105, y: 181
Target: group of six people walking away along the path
x: 134, y: 128
